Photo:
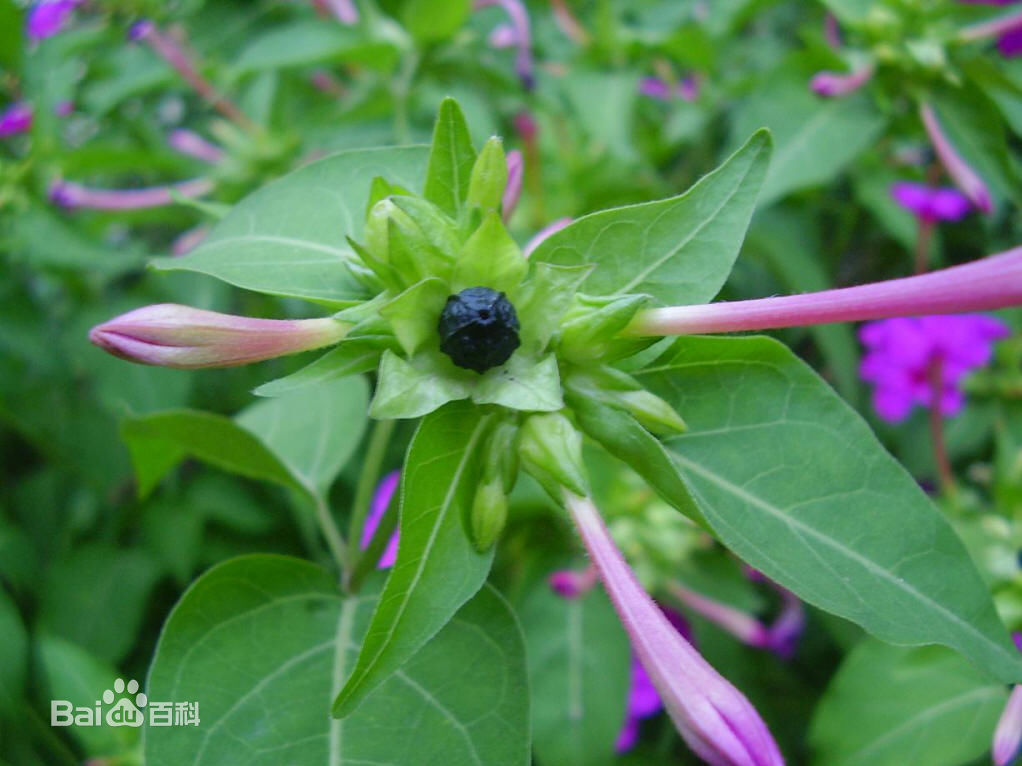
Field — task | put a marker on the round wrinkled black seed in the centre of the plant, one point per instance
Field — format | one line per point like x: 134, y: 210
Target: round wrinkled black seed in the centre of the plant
x: 479, y: 329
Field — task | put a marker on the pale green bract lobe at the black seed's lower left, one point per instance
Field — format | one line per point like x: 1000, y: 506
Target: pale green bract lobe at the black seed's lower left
x: 413, y: 390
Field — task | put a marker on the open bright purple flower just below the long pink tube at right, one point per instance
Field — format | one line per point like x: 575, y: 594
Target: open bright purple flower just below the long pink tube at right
x: 906, y: 354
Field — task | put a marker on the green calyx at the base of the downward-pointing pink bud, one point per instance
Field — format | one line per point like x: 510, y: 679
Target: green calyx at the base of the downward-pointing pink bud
x: 551, y: 452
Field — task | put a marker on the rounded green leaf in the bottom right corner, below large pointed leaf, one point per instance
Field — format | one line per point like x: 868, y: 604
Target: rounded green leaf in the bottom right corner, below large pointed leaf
x: 909, y: 706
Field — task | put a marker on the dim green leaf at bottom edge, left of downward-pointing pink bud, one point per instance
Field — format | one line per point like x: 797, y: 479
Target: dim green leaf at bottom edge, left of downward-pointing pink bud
x: 579, y: 669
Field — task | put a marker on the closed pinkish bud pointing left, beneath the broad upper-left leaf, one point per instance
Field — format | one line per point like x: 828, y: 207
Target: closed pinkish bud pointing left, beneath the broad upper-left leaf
x: 179, y: 337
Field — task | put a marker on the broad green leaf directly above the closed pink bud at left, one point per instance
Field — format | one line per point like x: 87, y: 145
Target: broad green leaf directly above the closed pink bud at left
x: 289, y: 237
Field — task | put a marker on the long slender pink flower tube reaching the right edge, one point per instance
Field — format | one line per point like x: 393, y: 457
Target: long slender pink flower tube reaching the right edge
x: 994, y: 282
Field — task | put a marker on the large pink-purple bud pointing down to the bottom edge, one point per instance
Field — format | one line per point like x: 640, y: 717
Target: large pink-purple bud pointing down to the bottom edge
x: 714, y: 717
